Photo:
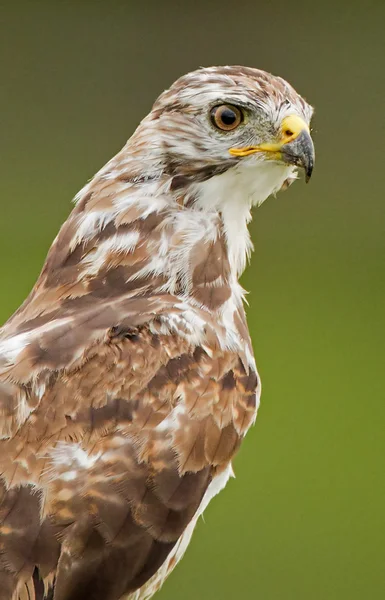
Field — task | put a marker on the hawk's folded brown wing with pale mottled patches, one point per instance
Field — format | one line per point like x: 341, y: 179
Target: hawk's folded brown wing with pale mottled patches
x: 124, y: 425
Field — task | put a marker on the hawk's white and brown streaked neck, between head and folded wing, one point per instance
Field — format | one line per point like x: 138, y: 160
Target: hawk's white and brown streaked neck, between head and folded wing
x: 135, y: 233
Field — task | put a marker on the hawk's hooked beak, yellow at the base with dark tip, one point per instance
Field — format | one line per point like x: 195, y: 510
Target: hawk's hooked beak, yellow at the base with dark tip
x: 295, y: 147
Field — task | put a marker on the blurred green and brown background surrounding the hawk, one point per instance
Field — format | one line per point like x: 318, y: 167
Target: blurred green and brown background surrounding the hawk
x: 304, y: 518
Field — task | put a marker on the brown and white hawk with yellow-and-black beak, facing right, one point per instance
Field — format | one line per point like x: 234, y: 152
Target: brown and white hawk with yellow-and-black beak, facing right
x: 127, y: 377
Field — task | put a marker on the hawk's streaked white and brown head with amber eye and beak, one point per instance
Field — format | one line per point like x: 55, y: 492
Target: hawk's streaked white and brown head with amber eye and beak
x: 234, y: 120
